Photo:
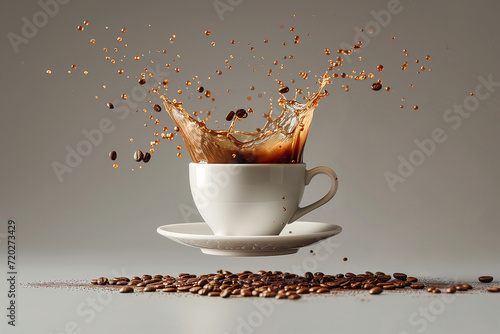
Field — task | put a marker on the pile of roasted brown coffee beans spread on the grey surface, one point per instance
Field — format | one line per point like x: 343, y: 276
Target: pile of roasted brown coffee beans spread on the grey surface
x: 277, y: 284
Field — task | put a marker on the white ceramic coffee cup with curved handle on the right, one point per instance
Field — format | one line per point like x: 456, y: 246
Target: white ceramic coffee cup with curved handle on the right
x: 253, y: 199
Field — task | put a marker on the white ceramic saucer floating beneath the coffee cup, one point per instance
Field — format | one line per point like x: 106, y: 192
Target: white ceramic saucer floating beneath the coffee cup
x: 294, y: 236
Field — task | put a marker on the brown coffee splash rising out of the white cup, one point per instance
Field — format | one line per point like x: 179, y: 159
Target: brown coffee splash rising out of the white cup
x: 281, y: 140
